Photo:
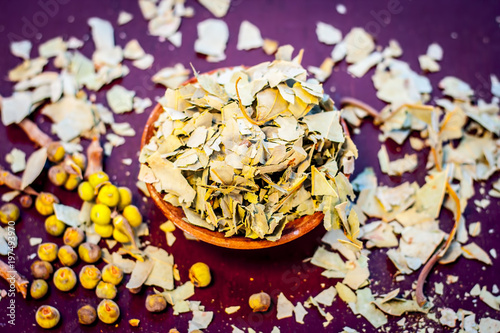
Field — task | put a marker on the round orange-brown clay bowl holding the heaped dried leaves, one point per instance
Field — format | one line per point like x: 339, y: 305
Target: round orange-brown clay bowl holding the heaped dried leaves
x: 293, y: 229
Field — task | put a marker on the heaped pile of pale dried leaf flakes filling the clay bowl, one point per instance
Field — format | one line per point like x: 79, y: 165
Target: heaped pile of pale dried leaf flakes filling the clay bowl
x: 245, y: 151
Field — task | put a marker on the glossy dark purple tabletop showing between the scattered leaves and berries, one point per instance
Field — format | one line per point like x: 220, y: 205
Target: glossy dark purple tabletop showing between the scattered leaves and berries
x: 471, y: 56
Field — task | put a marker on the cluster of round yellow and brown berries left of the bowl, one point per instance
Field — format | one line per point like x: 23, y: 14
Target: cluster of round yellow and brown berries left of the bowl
x: 112, y: 214
